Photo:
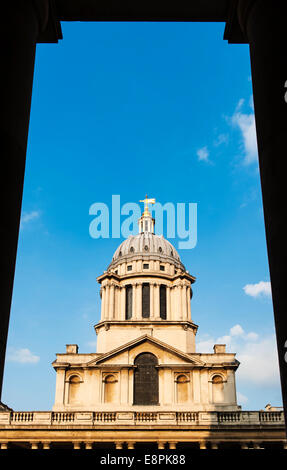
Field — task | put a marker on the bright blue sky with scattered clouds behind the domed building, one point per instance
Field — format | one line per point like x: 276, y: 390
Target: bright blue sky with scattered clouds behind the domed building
x: 129, y: 109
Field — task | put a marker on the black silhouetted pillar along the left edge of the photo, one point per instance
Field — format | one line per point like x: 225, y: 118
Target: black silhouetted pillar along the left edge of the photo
x: 22, y: 25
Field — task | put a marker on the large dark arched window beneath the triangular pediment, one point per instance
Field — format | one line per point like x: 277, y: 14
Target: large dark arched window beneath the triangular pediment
x: 146, y: 380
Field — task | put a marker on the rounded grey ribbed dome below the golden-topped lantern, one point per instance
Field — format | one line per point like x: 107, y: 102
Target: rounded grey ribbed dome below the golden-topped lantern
x: 146, y: 245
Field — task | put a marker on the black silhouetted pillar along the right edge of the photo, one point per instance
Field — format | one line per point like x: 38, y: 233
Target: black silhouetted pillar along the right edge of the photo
x: 264, y: 25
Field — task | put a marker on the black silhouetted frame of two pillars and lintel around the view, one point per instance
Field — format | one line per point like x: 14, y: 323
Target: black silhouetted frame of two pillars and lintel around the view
x: 260, y: 23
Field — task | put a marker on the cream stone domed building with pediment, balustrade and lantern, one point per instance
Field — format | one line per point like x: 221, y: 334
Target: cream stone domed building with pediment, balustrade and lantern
x: 145, y: 384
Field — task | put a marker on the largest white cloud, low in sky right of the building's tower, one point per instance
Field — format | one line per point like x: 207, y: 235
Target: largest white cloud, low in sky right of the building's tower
x: 257, y: 355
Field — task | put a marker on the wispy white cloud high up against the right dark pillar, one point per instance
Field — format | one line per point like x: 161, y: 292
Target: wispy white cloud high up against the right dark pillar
x: 246, y: 125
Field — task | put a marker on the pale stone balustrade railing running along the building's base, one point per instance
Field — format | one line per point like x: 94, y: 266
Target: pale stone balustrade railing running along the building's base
x: 94, y: 418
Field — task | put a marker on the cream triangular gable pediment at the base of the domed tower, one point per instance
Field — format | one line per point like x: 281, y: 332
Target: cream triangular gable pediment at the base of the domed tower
x: 119, y: 355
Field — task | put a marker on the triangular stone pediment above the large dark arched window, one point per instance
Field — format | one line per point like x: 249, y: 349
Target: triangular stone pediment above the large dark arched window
x: 126, y: 353
